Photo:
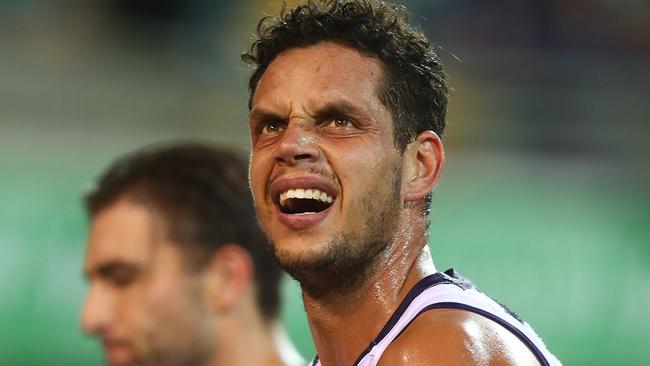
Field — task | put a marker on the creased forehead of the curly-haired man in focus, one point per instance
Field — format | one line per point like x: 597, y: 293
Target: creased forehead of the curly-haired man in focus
x: 324, y: 71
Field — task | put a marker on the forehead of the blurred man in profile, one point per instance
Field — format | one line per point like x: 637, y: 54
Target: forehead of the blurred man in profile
x: 126, y: 232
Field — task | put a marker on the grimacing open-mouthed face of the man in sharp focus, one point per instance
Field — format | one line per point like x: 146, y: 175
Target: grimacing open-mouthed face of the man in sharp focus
x: 319, y: 131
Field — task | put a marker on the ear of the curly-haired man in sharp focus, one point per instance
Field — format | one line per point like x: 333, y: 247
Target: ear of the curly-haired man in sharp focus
x: 423, y: 162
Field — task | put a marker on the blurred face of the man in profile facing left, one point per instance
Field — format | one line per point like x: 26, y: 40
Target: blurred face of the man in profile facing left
x: 142, y: 303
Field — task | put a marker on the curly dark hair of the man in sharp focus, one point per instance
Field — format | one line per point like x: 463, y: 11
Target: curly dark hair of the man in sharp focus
x: 414, y: 88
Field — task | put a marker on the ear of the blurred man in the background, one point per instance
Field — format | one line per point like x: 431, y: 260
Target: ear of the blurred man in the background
x: 228, y: 277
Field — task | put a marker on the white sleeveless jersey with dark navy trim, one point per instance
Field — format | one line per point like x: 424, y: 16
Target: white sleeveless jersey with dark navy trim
x: 449, y: 290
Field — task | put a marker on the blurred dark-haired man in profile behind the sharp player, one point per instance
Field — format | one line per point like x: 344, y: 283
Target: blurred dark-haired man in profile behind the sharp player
x: 179, y: 272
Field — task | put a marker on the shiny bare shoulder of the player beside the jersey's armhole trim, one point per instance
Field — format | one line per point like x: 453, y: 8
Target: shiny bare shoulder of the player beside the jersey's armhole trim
x: 456, y: 338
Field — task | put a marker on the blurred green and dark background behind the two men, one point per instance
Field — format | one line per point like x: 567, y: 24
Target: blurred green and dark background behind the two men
x: 544, y: 201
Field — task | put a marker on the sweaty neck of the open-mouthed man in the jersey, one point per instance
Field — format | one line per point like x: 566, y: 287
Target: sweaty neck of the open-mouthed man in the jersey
x: 368, y: 306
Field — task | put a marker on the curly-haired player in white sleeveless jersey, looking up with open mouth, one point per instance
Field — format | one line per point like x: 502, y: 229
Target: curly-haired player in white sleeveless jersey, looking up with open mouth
x: 347, y: 110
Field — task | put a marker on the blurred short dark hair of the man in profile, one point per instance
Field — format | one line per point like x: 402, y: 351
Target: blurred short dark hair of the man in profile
x: 201, y: 193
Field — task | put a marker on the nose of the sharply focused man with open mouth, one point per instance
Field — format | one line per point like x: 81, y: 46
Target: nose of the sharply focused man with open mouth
x: 298, y: 145
